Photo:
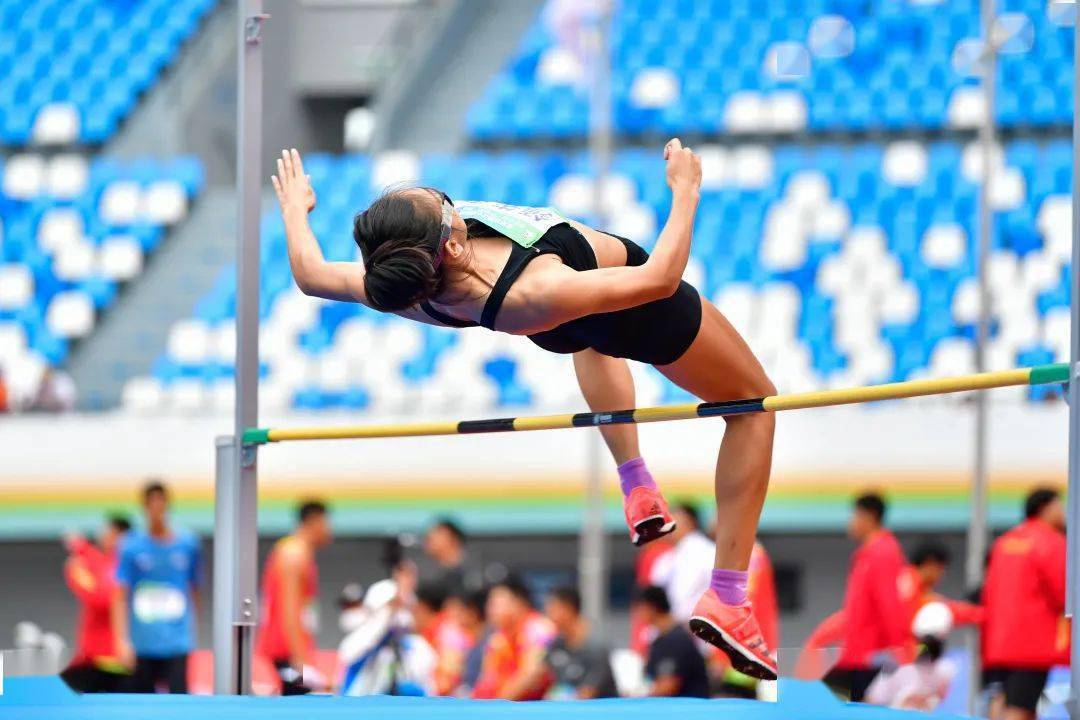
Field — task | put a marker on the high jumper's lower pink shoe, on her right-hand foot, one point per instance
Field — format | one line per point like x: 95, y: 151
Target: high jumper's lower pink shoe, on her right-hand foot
x: 734, y: 630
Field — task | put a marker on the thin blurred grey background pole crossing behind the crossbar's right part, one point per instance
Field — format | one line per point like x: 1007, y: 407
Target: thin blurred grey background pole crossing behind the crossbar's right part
x: 978, y: 529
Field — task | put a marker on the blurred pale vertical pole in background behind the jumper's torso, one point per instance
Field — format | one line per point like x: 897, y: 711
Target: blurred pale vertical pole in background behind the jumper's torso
x: 592, y: 563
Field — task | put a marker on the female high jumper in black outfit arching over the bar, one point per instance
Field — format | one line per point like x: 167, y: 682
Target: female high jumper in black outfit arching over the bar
x: 574, y: 290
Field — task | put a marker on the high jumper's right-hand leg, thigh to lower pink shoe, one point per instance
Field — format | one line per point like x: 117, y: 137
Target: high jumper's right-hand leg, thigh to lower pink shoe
x: 721, y: 366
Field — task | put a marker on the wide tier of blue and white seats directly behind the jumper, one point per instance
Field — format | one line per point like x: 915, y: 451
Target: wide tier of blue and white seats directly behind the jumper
x: 843, y: 265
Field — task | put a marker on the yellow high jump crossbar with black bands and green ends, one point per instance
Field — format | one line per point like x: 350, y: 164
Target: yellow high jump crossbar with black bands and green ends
x: 1029, y: 376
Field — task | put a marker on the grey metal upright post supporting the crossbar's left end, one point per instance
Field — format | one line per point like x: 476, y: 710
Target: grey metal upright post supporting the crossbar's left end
x: 237, y: 527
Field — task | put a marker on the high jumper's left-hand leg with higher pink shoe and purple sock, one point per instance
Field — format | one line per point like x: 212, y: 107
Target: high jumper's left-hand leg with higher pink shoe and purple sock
x: 607, y: 385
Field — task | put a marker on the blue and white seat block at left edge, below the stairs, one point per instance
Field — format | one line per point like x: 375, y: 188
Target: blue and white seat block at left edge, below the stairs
x: 72, y: 232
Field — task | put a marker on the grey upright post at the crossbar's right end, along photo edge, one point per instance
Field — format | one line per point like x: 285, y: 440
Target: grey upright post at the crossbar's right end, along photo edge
x: 1073, y: 594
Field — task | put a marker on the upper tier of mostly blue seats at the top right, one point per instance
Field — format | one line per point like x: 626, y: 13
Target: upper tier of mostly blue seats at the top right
x: 709, y: 66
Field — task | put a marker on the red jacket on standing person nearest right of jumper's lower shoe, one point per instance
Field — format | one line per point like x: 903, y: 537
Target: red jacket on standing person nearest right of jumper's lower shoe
x: 875, y: 619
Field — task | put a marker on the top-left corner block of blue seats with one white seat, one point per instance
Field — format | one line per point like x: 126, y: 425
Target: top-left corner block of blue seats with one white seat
x: 74, y: 70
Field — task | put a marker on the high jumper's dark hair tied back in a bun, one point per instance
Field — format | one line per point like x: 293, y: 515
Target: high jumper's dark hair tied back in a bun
x: 398, y: 238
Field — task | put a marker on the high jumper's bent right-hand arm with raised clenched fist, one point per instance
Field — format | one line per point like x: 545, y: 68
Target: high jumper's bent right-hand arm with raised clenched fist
x: 569, y: 295
